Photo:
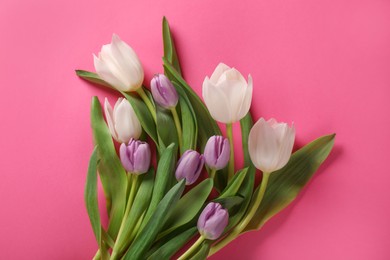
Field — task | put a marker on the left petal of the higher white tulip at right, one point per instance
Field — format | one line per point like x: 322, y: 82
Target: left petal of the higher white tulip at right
x: 216, y: 102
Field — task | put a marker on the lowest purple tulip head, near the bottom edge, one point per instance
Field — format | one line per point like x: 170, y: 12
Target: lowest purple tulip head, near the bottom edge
x: 212, y: 221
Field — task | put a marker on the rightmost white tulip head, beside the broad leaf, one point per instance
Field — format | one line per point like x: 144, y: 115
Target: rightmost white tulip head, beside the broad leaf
x: 270, y: 144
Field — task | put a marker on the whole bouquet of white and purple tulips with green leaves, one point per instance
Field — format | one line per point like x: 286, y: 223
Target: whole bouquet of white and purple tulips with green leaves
x: 168, y: 173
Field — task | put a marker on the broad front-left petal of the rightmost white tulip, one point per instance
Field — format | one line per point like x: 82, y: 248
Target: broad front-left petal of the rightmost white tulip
x: 263, y: 146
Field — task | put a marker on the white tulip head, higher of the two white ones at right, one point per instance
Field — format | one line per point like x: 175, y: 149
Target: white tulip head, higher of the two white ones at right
x: 227, y: 94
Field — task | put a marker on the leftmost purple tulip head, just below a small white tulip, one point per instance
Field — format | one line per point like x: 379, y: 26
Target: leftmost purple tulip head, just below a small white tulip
x: 135, y: 156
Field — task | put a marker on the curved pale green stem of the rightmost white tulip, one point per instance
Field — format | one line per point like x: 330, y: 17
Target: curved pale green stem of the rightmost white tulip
x: 240, y: 227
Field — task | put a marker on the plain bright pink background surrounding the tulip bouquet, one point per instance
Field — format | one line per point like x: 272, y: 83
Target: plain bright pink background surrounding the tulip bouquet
x: 322, y: 64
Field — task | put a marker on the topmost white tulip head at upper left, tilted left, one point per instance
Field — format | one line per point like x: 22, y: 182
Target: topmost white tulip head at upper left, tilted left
x: 118, y: 65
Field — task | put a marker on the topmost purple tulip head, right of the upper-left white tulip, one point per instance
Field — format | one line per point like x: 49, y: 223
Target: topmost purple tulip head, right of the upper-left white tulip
x: 164, y: 93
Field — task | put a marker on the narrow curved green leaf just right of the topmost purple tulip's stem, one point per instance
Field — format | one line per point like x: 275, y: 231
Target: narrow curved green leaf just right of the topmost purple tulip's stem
x: 188, y: 120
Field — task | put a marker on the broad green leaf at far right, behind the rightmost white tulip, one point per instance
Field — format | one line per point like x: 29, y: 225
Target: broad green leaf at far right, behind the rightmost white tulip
x: 284, y: 185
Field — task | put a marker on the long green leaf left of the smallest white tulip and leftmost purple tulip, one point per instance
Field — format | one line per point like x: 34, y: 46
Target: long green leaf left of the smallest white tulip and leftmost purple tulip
x: 112, y: 174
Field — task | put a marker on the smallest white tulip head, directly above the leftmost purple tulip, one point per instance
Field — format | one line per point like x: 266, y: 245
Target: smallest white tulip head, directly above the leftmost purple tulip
x: 122, y: 122
